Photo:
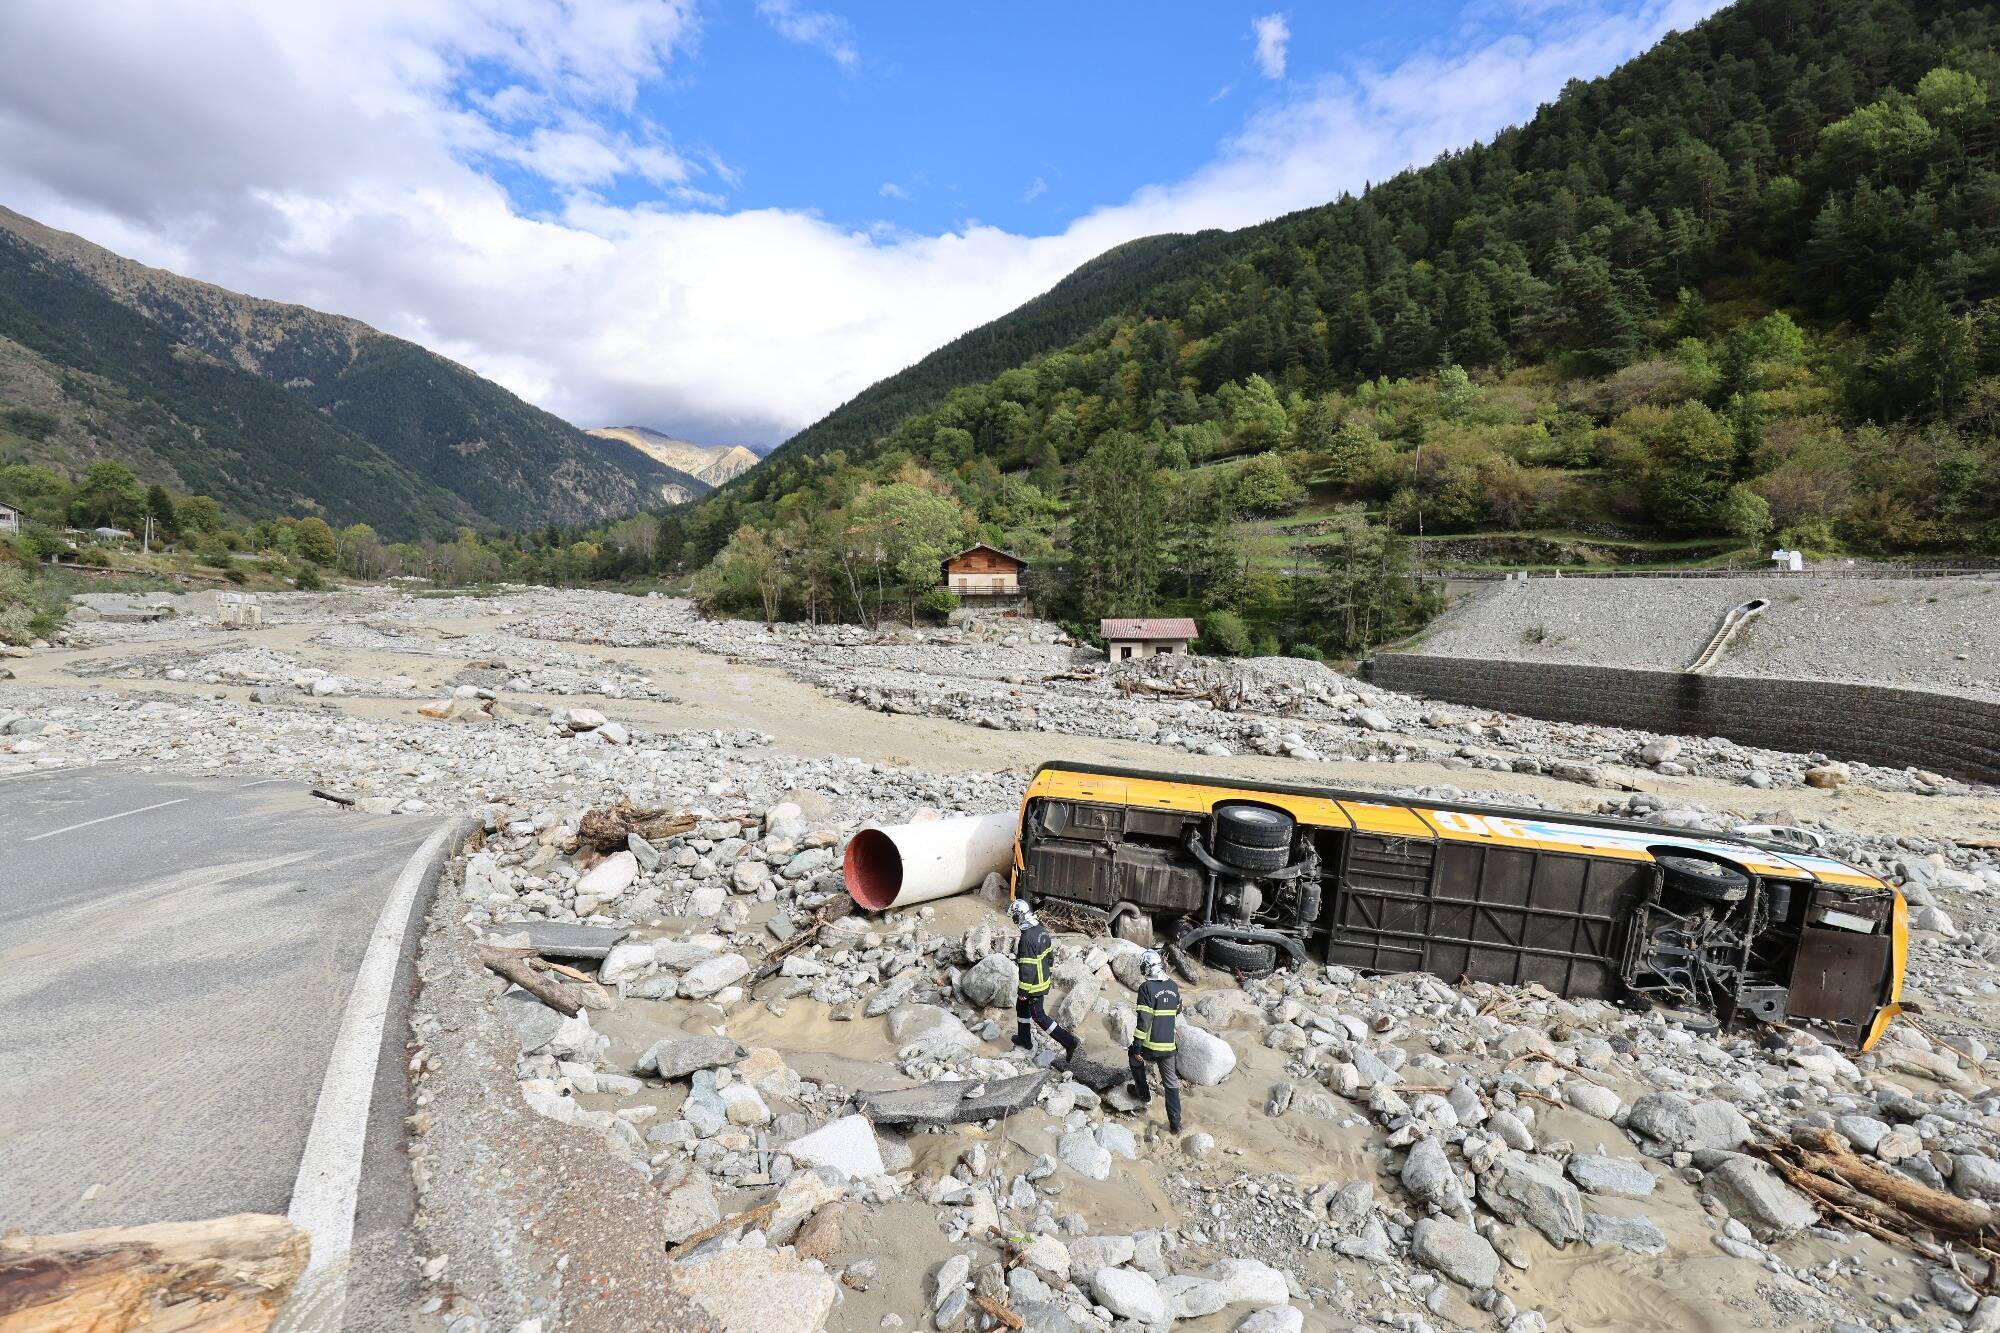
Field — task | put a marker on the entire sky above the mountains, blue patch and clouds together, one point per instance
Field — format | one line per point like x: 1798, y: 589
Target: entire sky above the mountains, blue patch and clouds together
x: 723, y: 219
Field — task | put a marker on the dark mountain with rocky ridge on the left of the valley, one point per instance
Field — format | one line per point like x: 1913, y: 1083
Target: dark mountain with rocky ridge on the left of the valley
x: 279, y: 409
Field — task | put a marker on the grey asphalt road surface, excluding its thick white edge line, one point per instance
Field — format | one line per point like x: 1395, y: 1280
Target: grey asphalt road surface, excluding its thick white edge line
x: 175, y: 964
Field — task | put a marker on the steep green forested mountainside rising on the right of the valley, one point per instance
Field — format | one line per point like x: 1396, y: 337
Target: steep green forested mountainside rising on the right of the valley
x: 1743, y: 287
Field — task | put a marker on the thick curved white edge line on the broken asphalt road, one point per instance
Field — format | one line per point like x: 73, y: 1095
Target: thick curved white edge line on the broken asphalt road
x: 331, y: 1168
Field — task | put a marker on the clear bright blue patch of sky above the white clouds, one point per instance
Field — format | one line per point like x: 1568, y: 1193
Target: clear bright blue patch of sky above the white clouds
x: 1015, y: 115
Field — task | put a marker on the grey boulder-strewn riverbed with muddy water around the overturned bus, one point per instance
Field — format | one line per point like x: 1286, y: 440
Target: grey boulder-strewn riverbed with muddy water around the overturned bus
x: 1389, y: 1152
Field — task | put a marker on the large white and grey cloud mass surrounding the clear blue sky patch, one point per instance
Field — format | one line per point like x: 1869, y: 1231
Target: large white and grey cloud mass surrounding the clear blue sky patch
x: 329, y: 153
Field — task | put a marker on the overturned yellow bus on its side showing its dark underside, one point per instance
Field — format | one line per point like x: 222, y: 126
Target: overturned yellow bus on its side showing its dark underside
x: 1249, y: 876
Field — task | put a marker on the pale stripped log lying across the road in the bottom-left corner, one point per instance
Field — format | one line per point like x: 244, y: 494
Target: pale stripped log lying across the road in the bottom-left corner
x: 221, y: 1276
